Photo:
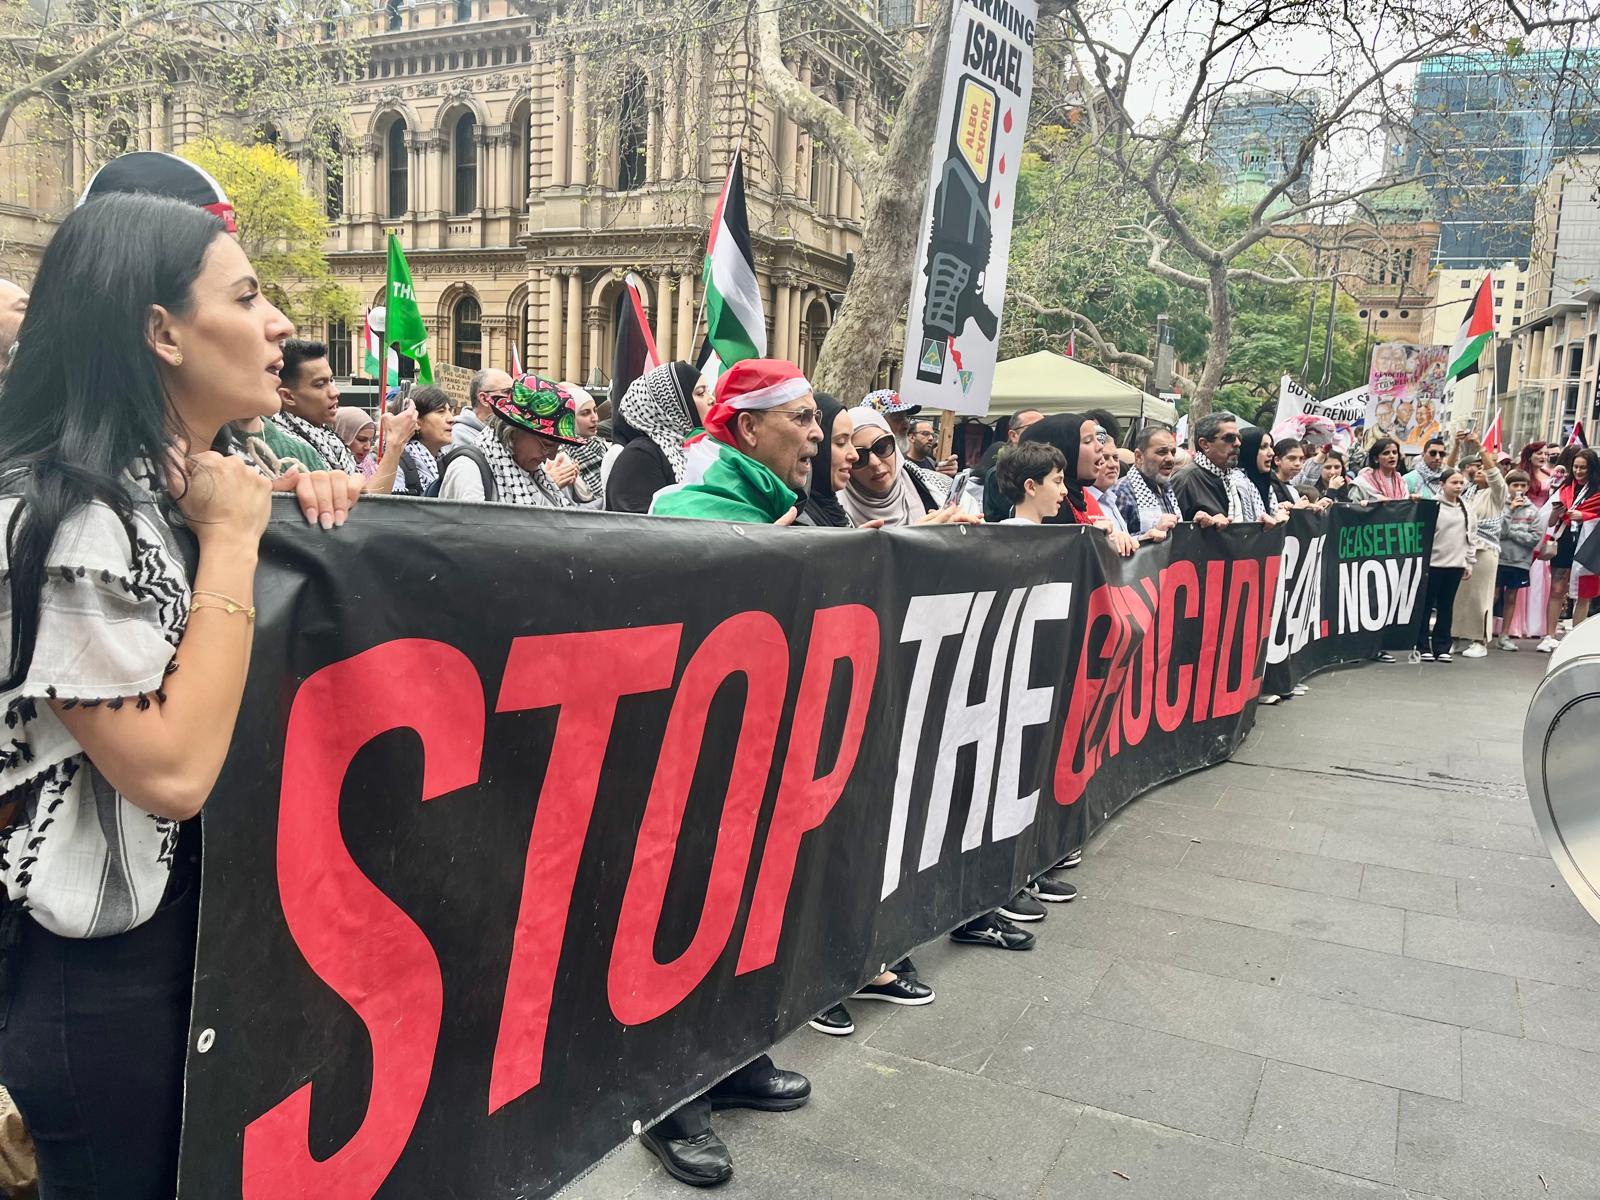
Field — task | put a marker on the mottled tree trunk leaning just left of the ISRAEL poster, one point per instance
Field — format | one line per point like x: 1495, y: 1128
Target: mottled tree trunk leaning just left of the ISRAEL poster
x: 892, y: 233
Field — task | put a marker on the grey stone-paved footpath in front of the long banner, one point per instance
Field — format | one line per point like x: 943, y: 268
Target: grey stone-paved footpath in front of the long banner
x: 1340, y: 966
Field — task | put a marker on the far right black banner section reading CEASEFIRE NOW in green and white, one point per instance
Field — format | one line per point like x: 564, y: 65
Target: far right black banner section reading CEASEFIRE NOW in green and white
x: 1351, y: 585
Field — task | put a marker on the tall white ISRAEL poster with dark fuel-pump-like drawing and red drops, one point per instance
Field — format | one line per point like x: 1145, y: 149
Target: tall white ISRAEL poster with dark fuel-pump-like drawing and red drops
x: 953, y: 330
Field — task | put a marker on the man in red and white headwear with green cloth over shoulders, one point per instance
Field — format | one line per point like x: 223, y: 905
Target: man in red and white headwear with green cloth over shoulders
x: 756, y: 457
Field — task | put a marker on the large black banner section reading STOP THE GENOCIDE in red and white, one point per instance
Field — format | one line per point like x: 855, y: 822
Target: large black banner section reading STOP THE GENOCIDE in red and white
x: 540, y: 823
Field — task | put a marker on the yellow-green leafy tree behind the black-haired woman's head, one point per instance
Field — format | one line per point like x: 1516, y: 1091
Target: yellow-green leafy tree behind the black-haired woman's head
x: 281, y: 228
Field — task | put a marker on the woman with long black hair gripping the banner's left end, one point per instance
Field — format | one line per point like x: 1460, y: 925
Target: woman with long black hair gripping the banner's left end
x: 124, y: 668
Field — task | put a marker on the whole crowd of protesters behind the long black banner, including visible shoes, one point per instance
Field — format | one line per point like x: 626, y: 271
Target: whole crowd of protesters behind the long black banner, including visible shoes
x: 138, y: 473
